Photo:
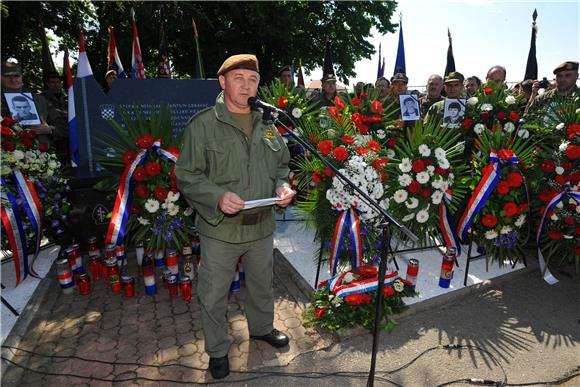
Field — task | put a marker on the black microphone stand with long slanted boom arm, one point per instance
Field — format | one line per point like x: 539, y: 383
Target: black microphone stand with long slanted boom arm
x: 385, y: 236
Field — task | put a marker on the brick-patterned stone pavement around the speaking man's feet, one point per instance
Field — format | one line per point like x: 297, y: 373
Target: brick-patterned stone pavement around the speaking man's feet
x: 150, y: 330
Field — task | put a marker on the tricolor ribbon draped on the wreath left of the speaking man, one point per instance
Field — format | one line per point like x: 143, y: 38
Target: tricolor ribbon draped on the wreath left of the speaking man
x: 122, y: 208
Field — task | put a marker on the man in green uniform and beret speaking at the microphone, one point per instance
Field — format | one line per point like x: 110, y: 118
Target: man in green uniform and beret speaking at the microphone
x: 231, y: 155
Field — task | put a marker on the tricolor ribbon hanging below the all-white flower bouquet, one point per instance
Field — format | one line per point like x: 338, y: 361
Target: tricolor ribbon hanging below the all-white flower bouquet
x: 346, y: 220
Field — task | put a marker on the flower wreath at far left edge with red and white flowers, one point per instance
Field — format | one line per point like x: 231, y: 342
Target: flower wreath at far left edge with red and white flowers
x: 22, y: 150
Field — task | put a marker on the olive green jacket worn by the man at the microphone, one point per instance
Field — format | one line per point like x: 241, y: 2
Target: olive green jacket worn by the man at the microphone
x: 216, y: 157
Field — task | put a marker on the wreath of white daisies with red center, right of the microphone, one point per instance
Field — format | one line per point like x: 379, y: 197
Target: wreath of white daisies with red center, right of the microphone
x: 427, y: 180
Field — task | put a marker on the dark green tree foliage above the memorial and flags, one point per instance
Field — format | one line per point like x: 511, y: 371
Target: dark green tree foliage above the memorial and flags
x: 278, y: 33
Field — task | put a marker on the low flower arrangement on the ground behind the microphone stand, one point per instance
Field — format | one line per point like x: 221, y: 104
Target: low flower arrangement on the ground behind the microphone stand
x: 338, y: 306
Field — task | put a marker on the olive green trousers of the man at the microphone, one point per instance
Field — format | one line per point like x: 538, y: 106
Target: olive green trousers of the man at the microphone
x: 216, y: 273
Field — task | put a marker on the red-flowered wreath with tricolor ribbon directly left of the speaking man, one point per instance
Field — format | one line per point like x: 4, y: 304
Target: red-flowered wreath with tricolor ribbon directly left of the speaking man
x: 144, y: 155
